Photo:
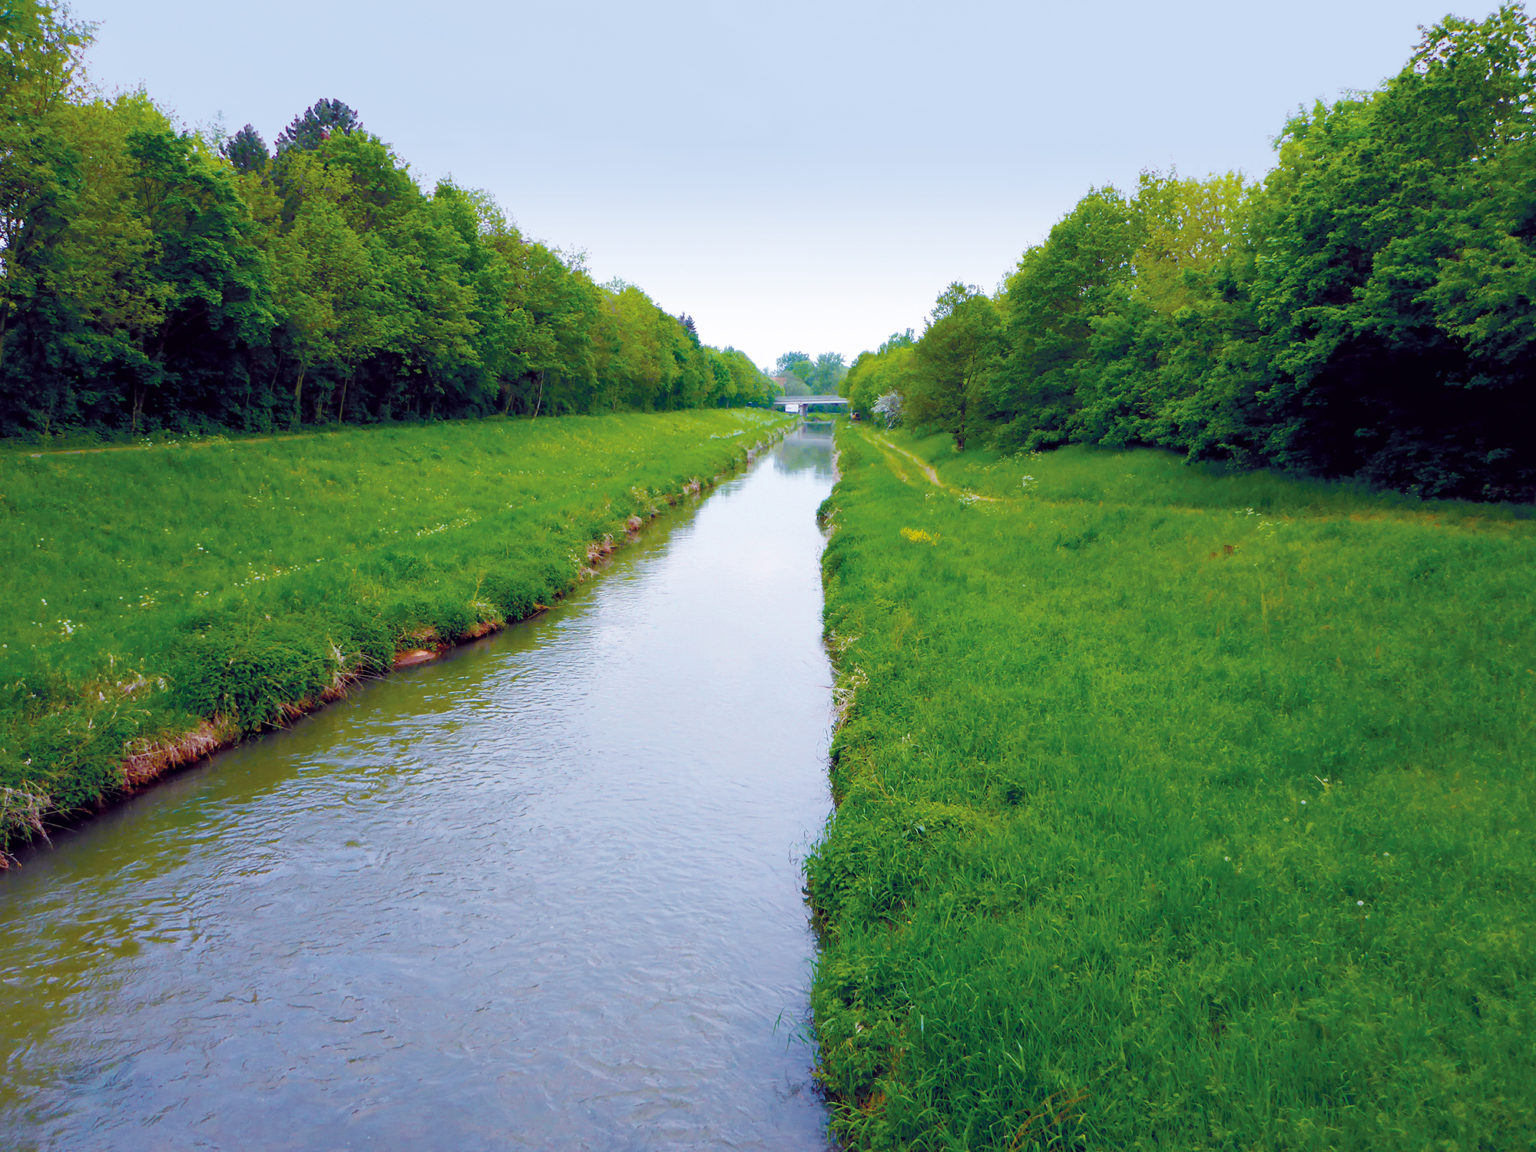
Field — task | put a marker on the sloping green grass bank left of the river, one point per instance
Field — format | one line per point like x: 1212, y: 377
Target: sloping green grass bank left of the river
x: 167, y: 601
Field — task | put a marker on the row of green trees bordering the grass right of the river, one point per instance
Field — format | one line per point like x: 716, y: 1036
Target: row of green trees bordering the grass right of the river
x: 1368, y: 310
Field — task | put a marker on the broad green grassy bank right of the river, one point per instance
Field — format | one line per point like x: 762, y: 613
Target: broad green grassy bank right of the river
x: 1174, y: 810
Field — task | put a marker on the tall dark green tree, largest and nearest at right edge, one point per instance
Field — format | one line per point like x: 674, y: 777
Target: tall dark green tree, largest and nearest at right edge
x: 1371, y: 210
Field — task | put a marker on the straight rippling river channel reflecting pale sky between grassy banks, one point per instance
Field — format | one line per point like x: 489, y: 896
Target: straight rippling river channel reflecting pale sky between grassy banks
x: 543, y: 895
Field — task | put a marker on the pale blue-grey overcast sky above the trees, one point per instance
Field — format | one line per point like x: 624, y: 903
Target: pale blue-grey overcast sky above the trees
x: 795, y: 176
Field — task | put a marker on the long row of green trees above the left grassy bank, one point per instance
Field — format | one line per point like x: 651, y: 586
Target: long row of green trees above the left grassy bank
x: 159, y: 279
